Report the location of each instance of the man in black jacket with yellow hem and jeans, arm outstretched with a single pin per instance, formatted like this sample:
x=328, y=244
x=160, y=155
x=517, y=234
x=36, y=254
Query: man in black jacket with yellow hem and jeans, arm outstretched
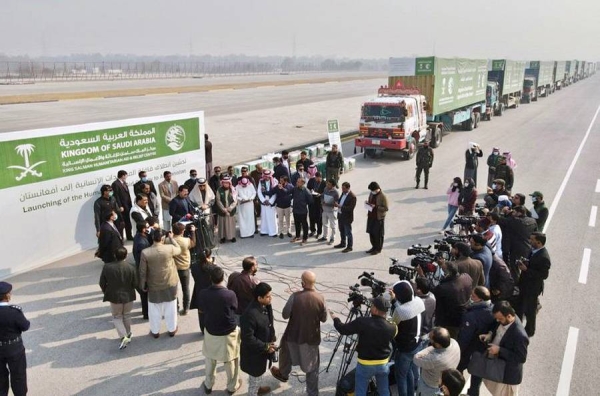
x=375, y=334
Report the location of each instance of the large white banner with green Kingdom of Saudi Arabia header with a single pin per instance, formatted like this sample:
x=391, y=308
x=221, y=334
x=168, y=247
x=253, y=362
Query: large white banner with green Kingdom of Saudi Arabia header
x=50, y=179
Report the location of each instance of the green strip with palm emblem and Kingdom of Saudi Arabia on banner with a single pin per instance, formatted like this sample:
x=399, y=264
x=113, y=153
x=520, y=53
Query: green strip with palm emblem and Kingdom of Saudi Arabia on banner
x=32, y=160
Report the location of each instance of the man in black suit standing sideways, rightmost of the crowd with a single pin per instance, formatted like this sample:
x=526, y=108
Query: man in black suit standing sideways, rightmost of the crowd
x=531, y=283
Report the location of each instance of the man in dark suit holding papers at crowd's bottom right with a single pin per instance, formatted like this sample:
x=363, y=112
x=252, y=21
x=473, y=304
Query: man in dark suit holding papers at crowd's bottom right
x=509, y=342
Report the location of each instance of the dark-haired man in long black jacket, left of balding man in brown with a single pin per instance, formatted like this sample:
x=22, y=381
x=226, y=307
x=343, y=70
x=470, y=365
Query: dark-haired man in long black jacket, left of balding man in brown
x=258, y=338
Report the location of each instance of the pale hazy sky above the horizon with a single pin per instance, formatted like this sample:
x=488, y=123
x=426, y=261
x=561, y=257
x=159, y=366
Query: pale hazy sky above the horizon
x=516, y=29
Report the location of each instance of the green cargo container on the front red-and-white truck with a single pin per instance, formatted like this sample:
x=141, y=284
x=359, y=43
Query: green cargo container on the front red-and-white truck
x=447, y=83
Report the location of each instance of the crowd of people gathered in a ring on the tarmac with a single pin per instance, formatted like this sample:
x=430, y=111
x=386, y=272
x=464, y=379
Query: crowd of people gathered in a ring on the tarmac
x=426, y=333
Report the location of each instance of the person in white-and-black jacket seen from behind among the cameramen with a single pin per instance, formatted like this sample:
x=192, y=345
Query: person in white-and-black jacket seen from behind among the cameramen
x=406, y=314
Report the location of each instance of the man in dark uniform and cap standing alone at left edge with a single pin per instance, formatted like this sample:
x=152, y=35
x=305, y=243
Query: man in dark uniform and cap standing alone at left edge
x=12, y=351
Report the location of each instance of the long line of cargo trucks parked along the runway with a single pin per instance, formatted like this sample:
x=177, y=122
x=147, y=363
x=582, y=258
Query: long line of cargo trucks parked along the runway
x=426, y=97
